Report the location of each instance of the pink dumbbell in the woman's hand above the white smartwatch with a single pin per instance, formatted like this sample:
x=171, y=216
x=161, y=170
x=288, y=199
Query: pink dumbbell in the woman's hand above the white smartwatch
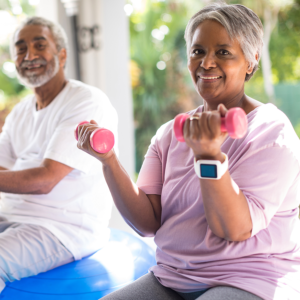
x=235, y=123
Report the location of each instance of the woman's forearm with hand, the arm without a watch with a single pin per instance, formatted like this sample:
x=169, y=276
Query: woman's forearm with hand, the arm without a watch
x=141, y=212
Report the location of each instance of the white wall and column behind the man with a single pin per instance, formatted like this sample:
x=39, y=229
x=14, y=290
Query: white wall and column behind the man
x=106, y=68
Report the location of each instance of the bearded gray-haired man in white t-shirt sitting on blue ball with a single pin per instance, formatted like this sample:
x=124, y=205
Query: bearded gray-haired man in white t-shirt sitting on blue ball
x=55, y=204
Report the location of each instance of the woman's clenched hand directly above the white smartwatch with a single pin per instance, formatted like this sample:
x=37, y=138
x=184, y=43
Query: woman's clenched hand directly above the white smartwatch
x=202, y=133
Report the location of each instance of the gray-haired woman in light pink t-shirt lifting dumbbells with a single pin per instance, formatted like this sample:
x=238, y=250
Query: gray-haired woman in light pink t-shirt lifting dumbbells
x=236, y=237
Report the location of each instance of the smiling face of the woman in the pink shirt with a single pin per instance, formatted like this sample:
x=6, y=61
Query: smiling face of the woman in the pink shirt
x=217, y=64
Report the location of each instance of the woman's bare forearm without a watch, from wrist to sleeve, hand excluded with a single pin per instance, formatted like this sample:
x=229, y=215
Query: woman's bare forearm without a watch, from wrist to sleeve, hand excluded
x=141, y=212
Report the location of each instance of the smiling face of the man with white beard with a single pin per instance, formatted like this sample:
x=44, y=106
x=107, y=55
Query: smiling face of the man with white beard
x=35, y=55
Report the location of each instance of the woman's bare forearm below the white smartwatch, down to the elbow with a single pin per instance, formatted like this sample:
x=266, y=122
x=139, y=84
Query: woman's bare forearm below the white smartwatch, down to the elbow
x=226, y=208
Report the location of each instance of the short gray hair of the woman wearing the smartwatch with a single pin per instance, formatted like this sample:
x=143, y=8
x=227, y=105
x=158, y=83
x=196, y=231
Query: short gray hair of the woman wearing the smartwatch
x=240, y=22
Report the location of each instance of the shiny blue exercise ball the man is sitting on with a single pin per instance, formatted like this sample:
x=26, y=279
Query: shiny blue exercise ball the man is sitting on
x=124, y=259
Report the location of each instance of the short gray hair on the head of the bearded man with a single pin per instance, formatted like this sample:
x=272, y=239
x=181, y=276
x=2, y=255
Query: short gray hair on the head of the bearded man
x=59, y=35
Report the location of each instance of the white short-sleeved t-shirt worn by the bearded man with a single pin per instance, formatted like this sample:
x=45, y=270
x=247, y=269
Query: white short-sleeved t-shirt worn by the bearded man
x=78, y=208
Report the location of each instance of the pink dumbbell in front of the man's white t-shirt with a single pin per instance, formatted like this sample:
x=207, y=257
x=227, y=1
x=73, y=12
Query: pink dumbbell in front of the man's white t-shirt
x=101, y=140
